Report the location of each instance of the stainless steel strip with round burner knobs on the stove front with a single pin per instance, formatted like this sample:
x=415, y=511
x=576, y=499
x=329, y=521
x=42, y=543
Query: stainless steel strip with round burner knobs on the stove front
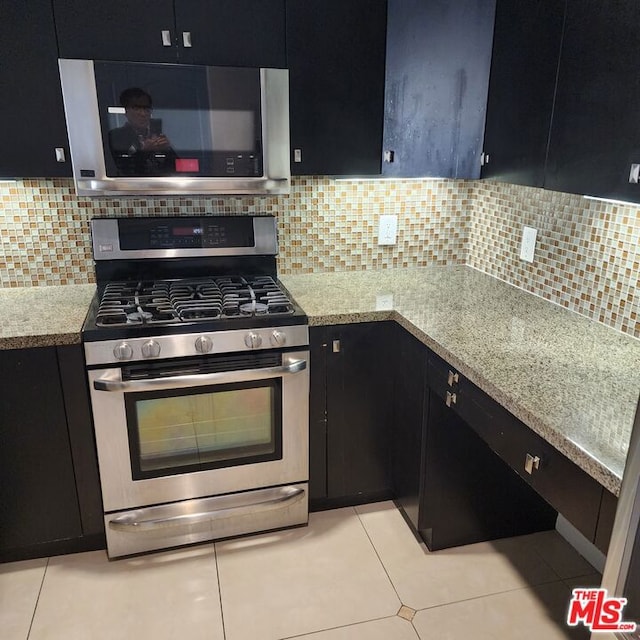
x=193, y=344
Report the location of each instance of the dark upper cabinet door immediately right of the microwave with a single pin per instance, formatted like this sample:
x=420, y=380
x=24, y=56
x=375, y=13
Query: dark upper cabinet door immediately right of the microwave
x=335, y=54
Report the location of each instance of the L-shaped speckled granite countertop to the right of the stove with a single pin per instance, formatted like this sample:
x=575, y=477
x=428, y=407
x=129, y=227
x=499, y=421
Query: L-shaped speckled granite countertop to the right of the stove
x=571, y=380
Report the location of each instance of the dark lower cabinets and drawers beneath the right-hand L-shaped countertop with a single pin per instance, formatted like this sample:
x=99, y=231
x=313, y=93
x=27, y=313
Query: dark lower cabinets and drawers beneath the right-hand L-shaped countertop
x=389, y=418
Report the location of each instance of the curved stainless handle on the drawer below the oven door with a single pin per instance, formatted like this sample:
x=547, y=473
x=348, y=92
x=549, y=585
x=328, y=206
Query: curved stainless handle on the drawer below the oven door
x=135, y=522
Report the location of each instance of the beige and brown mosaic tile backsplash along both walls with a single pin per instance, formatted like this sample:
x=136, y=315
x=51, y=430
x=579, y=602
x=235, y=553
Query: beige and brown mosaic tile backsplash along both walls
x=587, y=252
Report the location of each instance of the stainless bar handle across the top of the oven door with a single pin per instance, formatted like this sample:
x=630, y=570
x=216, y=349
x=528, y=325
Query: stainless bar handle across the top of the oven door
x=198, y=380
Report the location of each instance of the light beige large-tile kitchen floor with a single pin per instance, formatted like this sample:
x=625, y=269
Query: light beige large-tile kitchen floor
x=352, y=574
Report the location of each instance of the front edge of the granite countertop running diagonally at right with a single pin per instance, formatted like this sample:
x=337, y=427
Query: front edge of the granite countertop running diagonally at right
x=571, y=450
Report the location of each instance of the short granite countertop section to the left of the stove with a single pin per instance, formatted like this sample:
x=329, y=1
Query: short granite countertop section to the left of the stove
x=43, y=316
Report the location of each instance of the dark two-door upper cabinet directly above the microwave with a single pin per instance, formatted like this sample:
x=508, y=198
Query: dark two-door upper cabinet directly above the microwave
x=215, y=32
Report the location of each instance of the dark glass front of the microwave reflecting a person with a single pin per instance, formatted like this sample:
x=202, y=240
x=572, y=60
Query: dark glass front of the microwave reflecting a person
x=179, y=120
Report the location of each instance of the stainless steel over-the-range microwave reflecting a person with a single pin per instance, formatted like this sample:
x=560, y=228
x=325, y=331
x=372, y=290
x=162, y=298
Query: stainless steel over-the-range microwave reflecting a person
x=169, y=129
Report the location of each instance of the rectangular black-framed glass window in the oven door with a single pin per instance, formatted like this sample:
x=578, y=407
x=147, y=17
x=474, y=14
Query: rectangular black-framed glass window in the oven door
x=204, y=428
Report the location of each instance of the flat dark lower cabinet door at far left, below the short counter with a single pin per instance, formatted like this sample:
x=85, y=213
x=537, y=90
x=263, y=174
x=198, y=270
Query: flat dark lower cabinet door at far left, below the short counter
x=39, y=502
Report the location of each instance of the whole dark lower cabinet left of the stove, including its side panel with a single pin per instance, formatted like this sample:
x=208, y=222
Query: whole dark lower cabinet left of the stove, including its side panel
x=49, y=489
